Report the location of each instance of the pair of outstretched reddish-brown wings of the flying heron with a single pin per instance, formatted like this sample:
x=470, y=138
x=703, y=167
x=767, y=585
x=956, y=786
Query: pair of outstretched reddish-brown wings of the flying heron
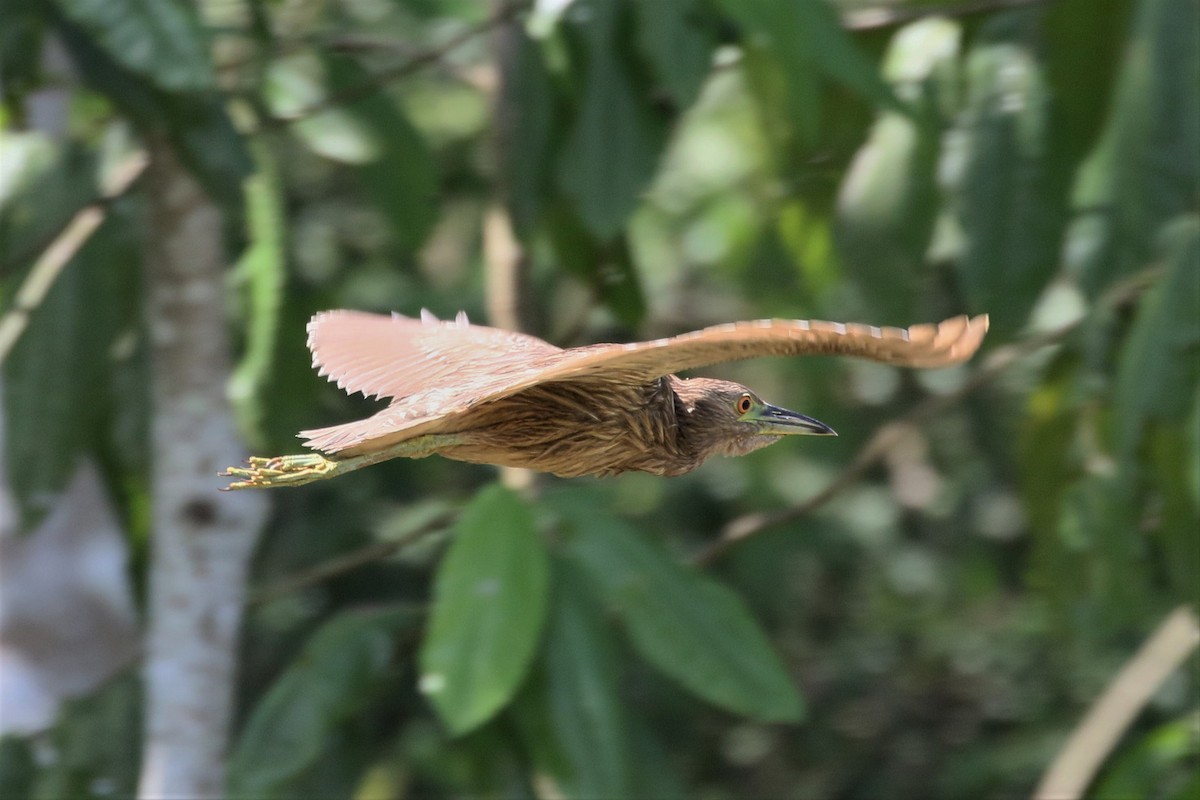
x=437, y=372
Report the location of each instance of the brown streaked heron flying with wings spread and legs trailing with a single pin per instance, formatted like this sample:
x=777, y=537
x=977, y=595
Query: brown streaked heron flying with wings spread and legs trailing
x=489, y=396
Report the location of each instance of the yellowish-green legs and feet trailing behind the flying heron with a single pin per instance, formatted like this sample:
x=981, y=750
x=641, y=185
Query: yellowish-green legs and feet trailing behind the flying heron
x=305, y=468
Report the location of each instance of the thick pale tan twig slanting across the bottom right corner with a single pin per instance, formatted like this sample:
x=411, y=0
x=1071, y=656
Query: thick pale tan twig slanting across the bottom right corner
x=1112, y=715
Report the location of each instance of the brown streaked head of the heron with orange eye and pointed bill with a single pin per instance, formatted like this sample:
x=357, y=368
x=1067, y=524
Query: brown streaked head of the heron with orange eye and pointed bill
x=727, y=419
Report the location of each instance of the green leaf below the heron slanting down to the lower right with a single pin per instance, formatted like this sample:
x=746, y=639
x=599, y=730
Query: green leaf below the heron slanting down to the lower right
x=688, y=625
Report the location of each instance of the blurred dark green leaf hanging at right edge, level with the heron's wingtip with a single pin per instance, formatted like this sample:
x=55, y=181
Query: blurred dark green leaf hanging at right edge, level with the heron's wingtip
x=1161, y=363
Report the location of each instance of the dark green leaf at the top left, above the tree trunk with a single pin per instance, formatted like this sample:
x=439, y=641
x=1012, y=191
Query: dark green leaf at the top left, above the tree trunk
x=160, y=40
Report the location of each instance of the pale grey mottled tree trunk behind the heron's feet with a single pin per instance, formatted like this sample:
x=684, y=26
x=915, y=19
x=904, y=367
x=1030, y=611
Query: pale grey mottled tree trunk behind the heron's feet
x=202, y=540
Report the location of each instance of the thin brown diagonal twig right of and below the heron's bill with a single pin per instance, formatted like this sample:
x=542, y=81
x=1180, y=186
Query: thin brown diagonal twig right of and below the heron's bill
x=893, y=432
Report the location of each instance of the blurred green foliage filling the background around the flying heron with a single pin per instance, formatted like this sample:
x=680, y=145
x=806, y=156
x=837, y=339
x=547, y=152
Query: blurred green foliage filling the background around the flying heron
x=934, y=631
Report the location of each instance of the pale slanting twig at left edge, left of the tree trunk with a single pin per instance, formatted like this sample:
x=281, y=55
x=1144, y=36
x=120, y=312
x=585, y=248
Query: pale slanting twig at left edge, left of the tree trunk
x=62, y=250
